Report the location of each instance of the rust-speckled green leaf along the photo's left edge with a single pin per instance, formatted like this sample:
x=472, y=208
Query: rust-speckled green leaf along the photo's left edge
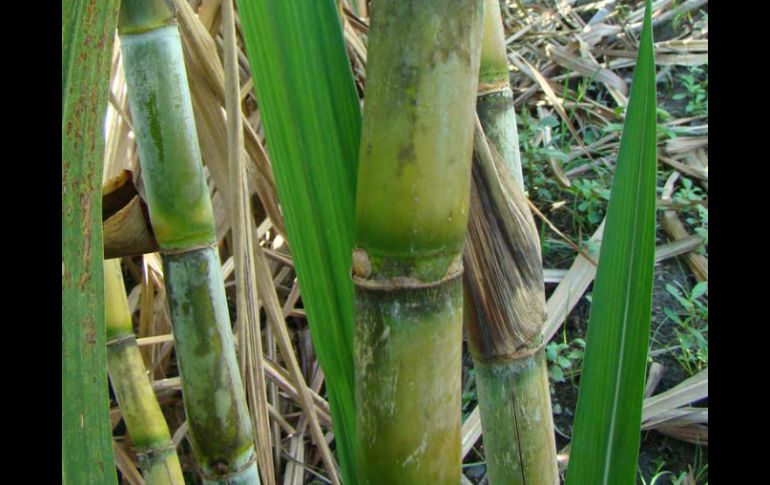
x=87, y=32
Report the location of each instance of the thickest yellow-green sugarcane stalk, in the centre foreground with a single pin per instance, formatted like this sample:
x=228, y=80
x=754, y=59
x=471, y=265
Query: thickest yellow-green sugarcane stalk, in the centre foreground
x=411, y=215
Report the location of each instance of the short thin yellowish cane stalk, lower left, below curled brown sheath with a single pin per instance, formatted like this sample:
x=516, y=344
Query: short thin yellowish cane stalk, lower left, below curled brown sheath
x=144, y=420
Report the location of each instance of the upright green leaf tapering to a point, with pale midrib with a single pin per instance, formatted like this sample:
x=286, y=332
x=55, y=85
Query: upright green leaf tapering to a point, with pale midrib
x=605, y=446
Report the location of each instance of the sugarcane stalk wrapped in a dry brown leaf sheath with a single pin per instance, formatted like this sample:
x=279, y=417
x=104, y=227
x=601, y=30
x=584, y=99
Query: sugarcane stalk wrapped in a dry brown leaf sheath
x=504, y=285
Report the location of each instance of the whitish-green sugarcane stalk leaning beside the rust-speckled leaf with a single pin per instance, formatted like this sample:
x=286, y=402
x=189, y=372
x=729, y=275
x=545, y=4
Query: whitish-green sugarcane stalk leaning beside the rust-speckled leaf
x=220, y=429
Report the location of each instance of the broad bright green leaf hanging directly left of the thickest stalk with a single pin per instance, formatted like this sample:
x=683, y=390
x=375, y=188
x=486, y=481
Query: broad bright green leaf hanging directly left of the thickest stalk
x=312, y=121
